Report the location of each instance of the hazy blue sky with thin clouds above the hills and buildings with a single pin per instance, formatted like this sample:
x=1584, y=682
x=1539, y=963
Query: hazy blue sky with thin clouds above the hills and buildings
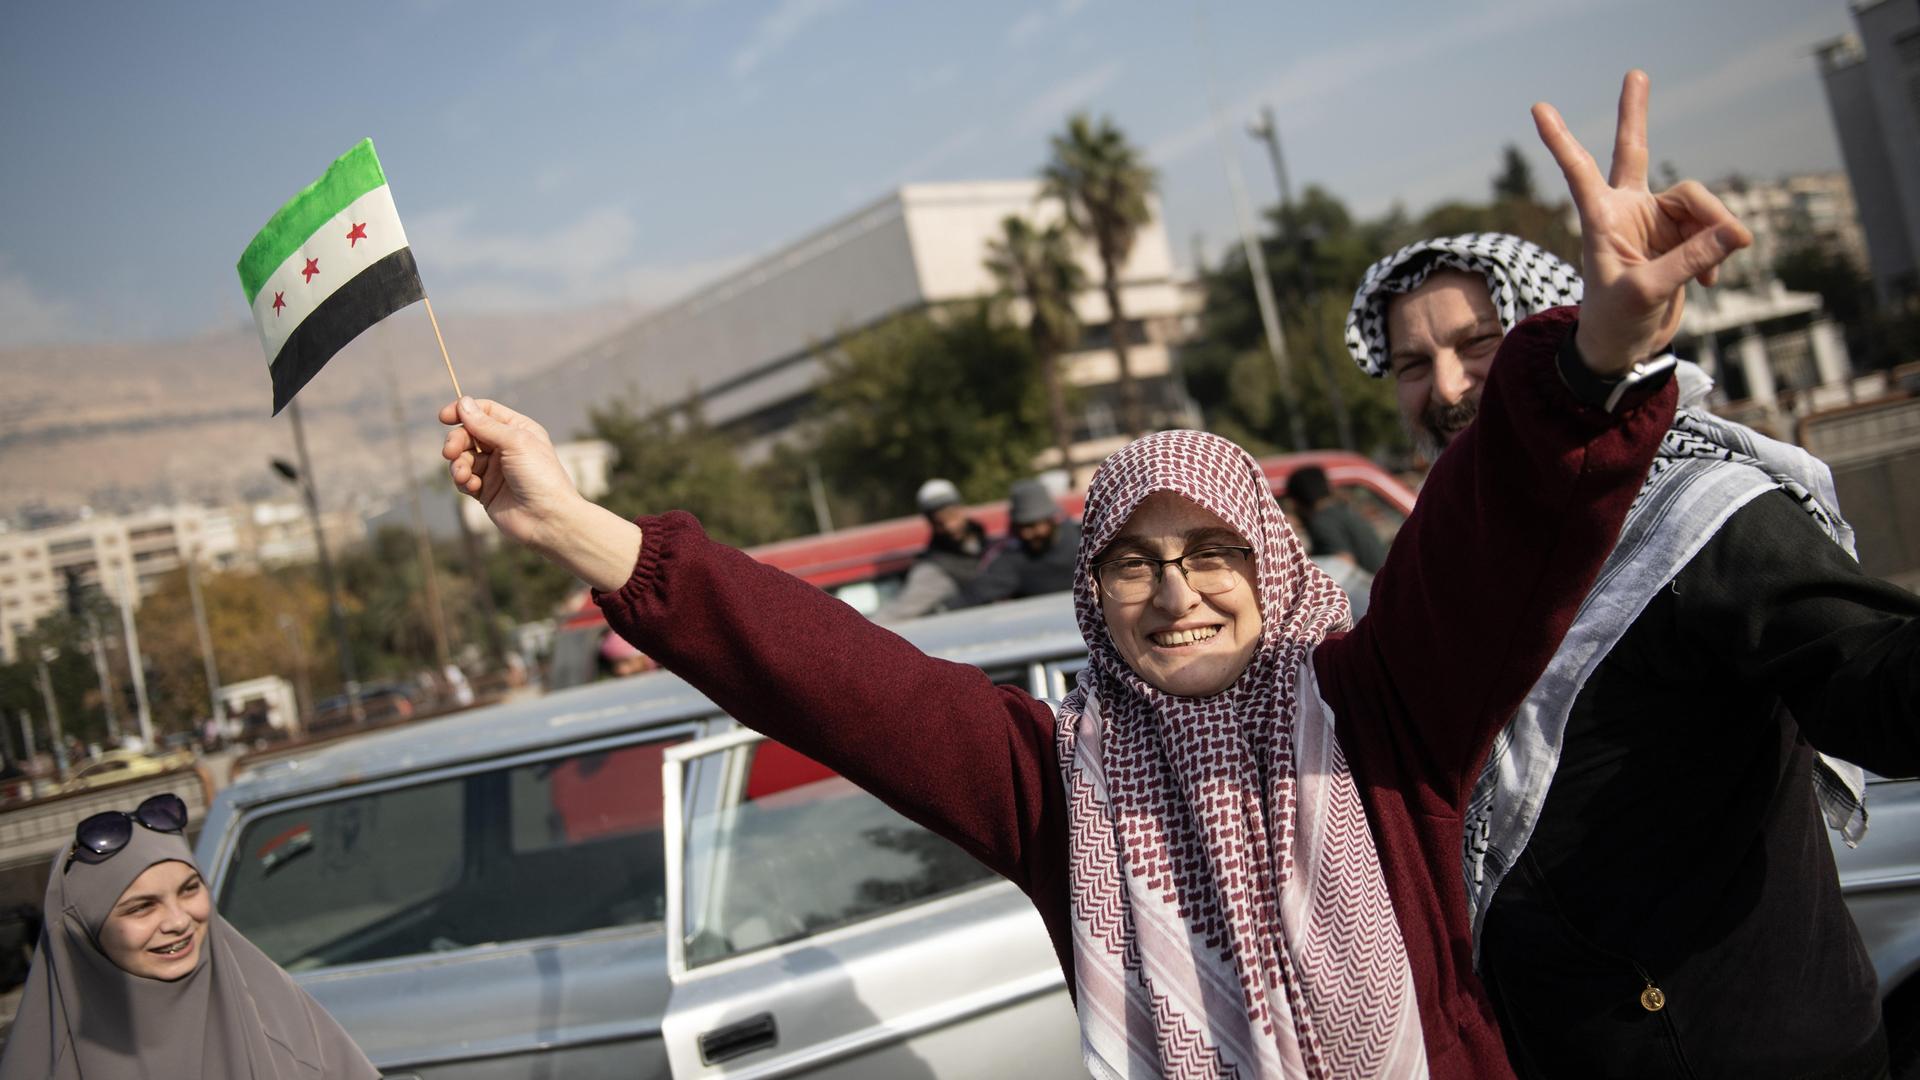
x=564, y=155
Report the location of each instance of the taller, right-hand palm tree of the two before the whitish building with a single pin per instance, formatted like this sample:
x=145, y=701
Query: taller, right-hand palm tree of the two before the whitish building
x=1105, y=185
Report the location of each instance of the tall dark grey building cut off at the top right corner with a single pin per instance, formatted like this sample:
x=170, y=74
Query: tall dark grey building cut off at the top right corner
x=1873, y=89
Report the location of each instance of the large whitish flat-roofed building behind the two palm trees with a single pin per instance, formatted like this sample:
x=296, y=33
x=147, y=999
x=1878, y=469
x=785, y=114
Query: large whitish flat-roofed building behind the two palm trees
x=748, y=347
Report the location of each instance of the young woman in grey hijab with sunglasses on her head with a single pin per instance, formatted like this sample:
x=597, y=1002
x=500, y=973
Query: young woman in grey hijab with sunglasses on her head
x=139, y=979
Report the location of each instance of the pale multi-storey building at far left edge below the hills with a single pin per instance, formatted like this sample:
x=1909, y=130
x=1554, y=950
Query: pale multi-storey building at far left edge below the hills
x=108, y=552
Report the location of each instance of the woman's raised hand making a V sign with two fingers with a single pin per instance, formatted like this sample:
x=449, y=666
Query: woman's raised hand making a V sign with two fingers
x=1639, y=247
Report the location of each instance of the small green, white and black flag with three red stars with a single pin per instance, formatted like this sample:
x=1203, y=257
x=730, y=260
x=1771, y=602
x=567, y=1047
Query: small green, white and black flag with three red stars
x=331, y=264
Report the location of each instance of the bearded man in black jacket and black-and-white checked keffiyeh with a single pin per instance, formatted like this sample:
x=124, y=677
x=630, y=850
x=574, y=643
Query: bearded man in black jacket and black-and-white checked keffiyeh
x=1646, y=866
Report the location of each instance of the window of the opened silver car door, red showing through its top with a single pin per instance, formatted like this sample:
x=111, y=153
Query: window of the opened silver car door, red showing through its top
x=804, y=852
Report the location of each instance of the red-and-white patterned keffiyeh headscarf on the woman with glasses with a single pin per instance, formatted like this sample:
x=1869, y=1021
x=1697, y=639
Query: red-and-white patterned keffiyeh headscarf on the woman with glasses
x=1230, y=914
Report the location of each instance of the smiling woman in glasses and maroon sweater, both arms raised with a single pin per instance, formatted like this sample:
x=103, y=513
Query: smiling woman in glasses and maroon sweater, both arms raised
x=1243, y=827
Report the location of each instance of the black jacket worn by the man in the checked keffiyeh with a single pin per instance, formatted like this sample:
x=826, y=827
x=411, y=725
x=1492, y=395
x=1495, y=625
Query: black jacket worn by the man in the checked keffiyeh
x=1681, y=845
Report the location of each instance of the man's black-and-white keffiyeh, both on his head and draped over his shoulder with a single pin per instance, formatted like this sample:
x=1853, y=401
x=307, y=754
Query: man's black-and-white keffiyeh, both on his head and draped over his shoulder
x=1706, y=470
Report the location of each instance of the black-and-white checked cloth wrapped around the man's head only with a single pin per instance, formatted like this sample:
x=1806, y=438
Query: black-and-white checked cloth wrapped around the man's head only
x=1522, y=278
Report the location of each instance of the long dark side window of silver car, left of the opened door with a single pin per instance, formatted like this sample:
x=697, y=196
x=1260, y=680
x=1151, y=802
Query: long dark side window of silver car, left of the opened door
x=556, y=847
